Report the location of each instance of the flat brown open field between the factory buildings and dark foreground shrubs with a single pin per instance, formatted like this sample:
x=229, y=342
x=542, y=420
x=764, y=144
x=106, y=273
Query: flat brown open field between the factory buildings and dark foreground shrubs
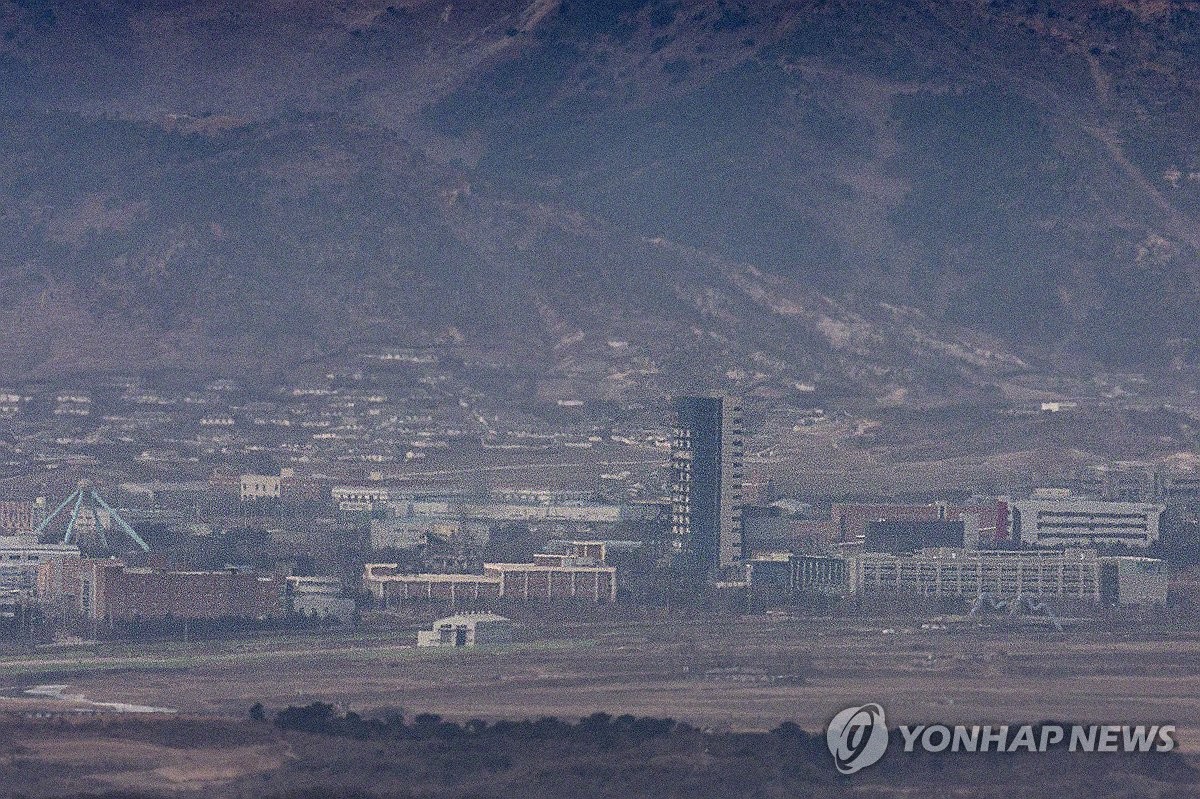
x=725, y=672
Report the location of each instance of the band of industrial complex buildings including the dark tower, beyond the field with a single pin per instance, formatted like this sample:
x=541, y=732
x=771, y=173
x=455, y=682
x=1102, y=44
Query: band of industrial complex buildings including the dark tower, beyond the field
x=1089, y=543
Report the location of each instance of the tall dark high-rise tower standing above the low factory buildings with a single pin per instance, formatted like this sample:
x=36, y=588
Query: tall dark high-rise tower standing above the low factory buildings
x=706, y=482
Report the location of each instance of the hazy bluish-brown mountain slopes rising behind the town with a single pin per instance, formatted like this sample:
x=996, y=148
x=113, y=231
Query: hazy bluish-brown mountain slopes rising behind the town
x=915, y=197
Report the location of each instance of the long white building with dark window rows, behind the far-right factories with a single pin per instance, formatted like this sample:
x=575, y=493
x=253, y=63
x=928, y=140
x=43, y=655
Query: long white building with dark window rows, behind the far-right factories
x=1077, y=522
